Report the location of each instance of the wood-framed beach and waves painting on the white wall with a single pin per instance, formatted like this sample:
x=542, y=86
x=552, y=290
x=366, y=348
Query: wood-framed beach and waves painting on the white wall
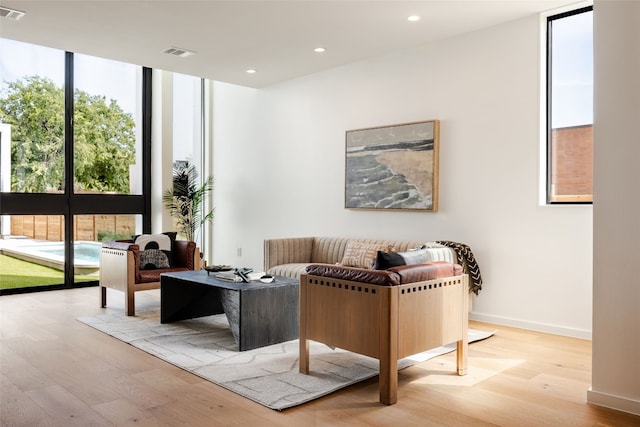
x=393, y=167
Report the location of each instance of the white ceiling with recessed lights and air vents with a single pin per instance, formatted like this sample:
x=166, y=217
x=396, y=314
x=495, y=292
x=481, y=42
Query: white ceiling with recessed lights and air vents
x=276, y=38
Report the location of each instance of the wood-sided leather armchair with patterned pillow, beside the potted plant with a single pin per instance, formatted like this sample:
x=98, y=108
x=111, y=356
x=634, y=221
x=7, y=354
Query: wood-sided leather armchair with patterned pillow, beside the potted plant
x=136, y=265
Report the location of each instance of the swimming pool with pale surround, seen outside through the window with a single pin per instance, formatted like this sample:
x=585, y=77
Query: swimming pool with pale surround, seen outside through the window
x=51, y=254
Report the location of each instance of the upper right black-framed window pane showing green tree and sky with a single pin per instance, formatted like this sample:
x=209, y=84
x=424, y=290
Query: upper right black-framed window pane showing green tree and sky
x=107, y=127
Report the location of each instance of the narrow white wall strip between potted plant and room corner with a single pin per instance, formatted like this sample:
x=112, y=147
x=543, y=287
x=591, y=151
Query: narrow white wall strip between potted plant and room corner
x=236, y=146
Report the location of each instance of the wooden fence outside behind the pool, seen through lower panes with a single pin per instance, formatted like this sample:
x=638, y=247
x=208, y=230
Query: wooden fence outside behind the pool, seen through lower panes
x=85, y=227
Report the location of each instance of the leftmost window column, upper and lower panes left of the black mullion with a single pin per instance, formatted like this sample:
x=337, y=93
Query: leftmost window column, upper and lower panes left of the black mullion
x=32, y=159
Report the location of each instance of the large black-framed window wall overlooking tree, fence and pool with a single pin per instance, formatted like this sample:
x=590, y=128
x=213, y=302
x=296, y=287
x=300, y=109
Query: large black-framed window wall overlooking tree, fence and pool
x=74, y=133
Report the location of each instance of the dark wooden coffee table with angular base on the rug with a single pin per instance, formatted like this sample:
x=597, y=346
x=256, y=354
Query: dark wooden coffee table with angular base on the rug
x=259, y=314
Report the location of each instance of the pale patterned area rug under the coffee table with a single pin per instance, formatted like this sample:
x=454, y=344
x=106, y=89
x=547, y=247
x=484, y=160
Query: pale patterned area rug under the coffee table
x=267, y=375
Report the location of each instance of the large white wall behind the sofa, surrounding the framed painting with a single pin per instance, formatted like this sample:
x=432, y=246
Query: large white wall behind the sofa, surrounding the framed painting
x=280, y=169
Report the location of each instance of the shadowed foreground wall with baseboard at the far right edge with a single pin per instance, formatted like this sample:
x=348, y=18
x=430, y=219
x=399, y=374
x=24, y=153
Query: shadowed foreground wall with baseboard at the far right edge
x=616, y=287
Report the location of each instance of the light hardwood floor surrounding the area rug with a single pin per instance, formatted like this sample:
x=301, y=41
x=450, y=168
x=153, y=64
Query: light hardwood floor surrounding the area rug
x=56, y=371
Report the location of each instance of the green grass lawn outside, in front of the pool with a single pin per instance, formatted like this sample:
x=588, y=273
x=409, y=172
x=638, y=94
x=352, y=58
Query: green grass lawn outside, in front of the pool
x=15, y=273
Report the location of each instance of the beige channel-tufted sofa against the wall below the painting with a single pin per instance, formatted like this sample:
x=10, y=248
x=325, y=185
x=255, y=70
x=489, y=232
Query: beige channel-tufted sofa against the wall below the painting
x=290, y=257
